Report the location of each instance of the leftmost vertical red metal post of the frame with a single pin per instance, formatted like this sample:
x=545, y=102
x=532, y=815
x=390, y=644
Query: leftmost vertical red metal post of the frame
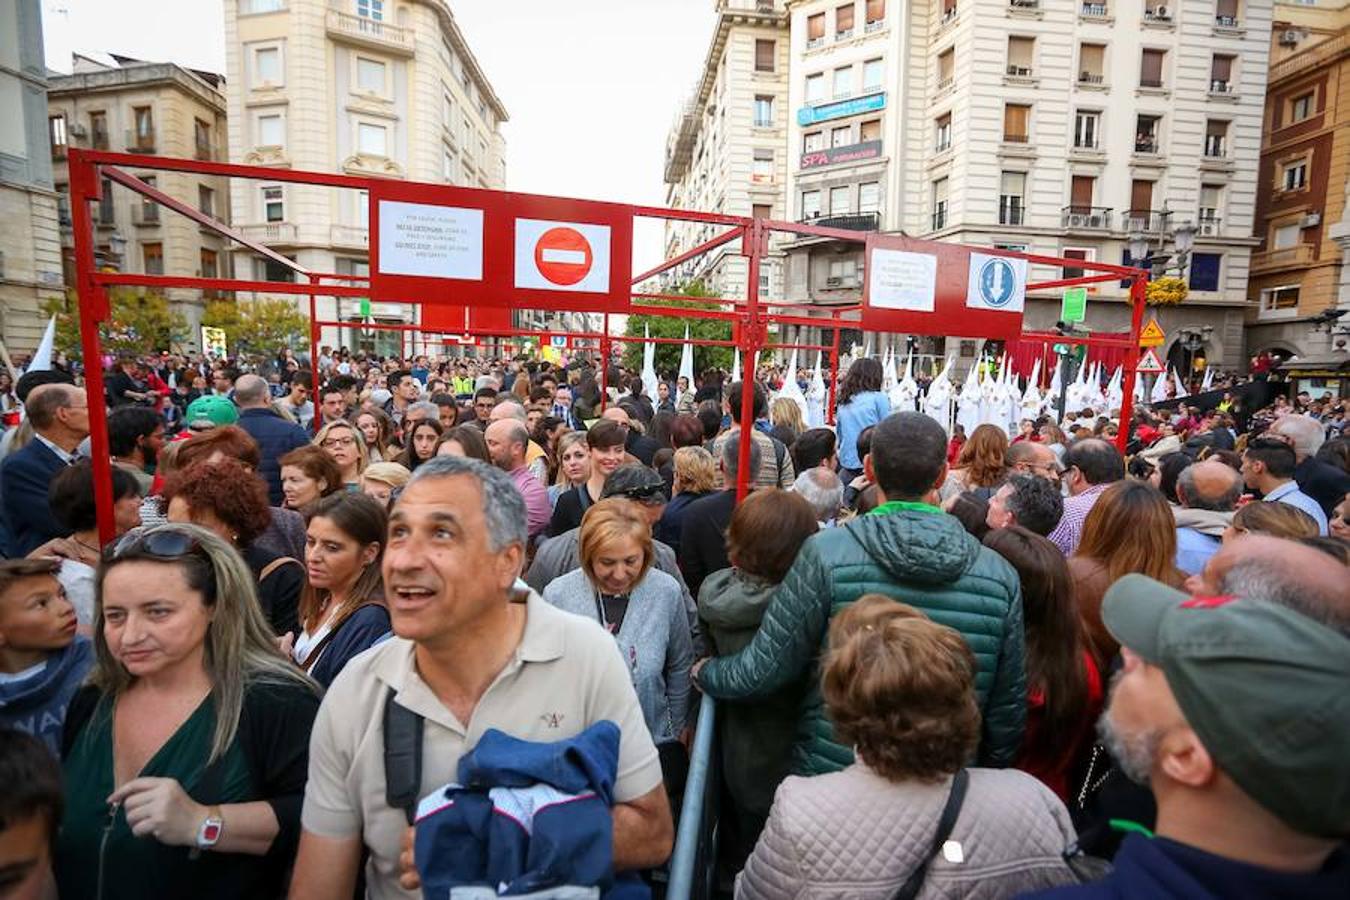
x=94, y=311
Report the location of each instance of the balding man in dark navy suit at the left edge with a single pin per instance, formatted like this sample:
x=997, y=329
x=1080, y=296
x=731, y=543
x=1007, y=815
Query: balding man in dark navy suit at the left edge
x=60, y=419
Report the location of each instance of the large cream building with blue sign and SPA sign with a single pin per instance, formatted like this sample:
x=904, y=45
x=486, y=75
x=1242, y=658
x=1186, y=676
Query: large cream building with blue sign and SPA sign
x=1040, y=126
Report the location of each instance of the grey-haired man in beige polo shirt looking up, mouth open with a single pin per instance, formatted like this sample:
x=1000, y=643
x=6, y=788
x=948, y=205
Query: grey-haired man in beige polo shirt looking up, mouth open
x=468, y=656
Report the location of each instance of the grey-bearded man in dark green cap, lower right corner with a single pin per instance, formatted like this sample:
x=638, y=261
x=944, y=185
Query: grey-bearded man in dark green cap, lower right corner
x=1236, y=712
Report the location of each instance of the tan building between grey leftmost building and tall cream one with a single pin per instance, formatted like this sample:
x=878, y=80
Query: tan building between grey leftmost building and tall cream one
x=145, y=109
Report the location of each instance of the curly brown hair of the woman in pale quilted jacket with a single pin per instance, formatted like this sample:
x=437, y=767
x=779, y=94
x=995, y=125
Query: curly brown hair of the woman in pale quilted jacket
x=901, y=689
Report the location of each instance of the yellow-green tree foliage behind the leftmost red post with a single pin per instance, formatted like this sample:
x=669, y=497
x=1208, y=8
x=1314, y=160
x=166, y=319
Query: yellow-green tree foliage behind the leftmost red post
x=140, y=323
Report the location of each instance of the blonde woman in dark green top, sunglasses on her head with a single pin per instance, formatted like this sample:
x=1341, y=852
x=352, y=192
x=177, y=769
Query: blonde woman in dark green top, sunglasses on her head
x=186, y=758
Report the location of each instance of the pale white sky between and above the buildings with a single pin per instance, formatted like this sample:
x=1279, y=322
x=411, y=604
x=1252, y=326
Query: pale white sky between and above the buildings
x=592, y=87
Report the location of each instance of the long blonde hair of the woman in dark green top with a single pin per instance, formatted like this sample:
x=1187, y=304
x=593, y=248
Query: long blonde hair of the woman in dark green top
x=240, y=646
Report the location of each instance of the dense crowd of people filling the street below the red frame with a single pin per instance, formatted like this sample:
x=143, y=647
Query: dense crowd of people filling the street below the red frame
x=368, y=627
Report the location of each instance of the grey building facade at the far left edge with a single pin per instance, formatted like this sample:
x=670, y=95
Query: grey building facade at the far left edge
x=30, y=241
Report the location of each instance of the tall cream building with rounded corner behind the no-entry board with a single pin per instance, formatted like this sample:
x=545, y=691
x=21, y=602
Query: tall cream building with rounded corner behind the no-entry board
x=379, y=88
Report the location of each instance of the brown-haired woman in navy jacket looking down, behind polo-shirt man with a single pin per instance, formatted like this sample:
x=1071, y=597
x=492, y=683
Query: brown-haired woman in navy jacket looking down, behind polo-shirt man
x=342, y=611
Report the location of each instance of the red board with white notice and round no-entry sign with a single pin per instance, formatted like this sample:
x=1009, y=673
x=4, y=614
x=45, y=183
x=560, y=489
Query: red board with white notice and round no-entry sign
x=470, y=248
